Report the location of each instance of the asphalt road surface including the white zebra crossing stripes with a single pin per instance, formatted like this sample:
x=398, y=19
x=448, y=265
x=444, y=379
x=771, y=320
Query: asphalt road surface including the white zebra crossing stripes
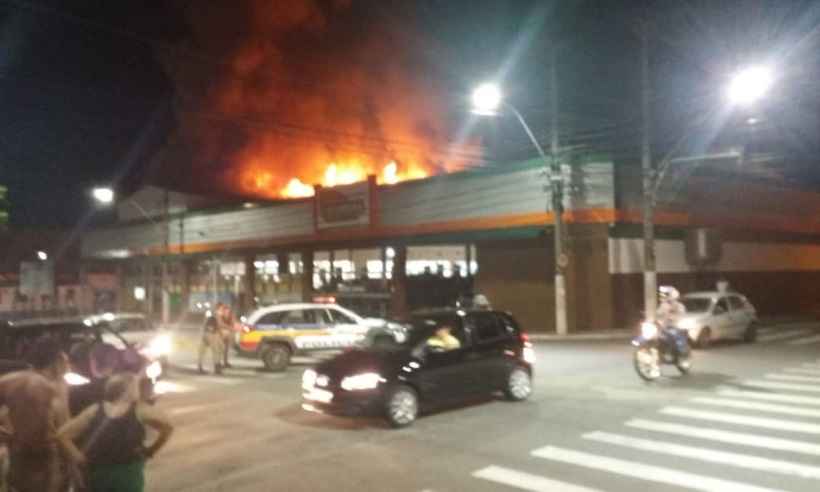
x=746, y=419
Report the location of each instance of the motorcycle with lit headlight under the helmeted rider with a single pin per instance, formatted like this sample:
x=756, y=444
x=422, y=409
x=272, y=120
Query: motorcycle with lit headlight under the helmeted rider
x=657, y=345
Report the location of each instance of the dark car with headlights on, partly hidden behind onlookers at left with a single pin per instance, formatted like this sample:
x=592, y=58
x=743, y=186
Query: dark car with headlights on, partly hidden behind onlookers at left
x=83, y=341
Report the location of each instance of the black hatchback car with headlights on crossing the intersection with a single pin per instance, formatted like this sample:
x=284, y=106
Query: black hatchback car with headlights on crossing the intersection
x=440, y=357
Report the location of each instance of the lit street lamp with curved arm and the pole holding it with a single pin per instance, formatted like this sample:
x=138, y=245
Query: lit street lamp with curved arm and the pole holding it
x=488, y=101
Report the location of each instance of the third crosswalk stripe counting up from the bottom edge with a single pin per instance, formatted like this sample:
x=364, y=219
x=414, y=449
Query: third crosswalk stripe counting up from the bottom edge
x=706, y=454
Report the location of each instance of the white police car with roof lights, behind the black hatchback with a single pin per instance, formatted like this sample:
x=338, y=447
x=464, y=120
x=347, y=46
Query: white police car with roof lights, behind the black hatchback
x=276, y=333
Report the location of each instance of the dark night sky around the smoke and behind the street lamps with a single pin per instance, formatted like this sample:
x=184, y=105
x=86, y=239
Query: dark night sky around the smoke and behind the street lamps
x=87, y=97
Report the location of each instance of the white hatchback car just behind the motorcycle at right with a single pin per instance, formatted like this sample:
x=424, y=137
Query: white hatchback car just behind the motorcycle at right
x=716, y=315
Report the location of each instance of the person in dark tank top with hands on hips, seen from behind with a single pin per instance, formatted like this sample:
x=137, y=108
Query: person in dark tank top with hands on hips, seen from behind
x=112, y=436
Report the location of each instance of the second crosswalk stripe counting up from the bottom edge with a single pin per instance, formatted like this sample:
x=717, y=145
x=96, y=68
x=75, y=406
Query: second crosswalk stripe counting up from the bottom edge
x=642, y=471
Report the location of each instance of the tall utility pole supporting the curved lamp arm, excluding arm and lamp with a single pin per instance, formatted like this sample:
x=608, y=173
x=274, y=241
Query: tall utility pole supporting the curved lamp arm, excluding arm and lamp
x=557, y=183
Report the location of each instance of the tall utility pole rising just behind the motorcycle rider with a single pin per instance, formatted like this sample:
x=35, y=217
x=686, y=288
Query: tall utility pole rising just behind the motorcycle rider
x=650, y=279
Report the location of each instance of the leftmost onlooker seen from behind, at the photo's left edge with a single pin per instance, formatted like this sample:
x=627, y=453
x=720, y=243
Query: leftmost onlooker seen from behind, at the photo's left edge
x=37, y=404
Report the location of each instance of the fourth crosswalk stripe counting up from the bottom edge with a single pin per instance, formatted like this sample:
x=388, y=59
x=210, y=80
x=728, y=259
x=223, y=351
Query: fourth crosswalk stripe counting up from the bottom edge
x=752, y=440
